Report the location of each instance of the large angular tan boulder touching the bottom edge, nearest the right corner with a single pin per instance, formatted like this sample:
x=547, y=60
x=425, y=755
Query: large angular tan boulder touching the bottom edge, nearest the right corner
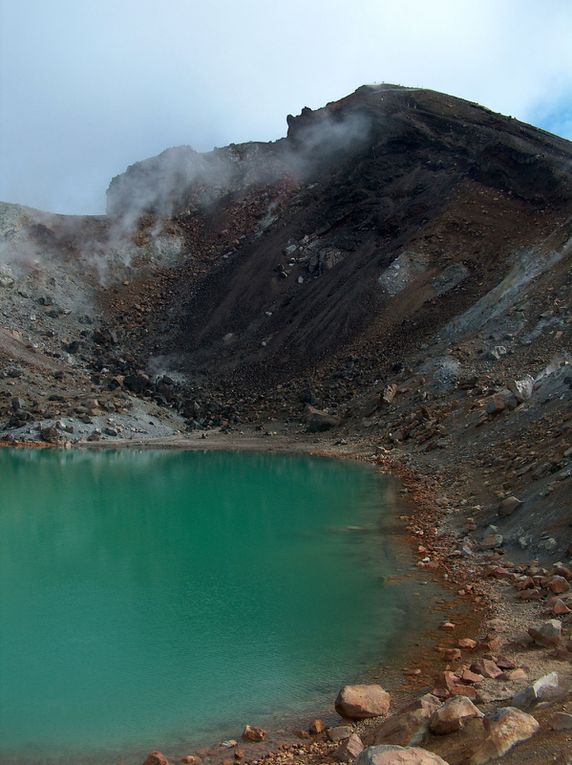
x=506, y=728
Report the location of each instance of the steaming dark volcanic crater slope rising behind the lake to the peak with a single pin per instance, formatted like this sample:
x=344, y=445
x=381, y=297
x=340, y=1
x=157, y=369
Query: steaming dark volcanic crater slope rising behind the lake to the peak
x=400, y=260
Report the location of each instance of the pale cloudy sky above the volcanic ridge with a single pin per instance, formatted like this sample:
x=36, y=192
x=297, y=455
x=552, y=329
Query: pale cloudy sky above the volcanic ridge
x=88, y=87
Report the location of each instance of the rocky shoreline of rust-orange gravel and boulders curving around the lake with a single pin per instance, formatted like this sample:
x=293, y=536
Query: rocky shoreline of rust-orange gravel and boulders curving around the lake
x=503, y=644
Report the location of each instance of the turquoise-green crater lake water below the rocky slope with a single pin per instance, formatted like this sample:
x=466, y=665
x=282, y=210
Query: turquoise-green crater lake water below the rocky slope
x=157, y=598
